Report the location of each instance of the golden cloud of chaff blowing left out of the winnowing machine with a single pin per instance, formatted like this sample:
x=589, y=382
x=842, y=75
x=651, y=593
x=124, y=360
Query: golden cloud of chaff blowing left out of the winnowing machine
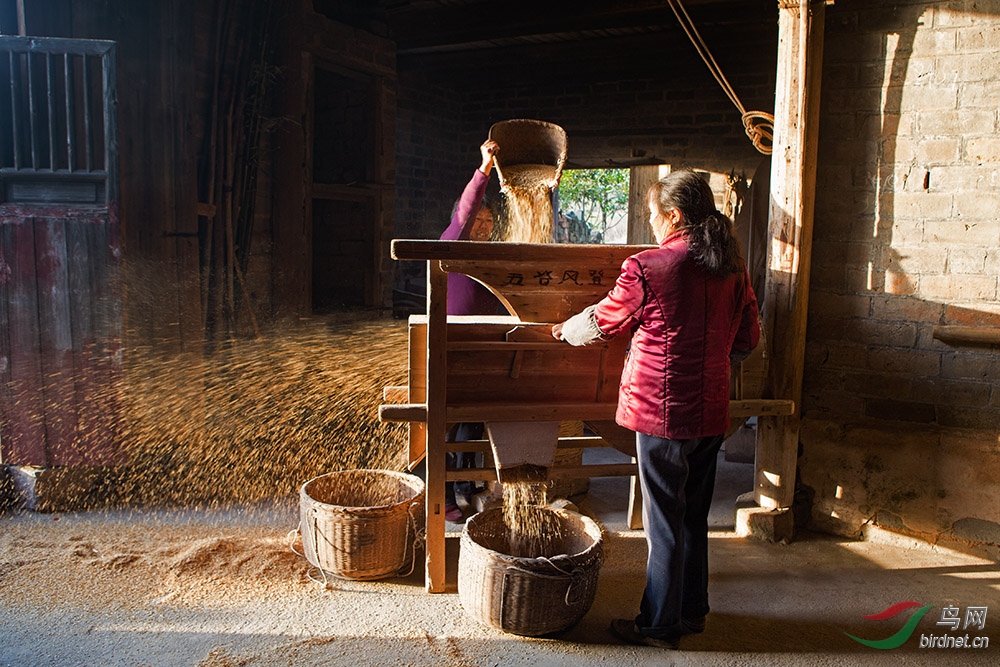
x=250, y=422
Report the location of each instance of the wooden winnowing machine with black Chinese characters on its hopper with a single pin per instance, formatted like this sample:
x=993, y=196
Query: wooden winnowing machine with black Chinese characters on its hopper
x=505, y=370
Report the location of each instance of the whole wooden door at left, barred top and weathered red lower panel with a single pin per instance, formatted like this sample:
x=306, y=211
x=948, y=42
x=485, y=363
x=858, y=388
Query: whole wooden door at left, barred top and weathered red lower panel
x=60, y=253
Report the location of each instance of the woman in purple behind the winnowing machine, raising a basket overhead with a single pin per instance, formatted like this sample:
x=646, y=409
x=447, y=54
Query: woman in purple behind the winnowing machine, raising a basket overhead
x=471, y=220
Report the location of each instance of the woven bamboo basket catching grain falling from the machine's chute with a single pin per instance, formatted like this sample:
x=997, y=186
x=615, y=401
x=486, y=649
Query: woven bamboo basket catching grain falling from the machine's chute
x=529, y=596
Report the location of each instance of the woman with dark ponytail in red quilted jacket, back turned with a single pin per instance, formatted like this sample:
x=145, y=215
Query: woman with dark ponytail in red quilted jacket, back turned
x=691, y=312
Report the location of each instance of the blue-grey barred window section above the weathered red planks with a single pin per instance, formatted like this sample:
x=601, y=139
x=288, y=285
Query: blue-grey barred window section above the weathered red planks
x=58, y=133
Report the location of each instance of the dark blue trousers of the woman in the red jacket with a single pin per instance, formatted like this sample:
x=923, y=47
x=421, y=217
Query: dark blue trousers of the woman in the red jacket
x=677, y=479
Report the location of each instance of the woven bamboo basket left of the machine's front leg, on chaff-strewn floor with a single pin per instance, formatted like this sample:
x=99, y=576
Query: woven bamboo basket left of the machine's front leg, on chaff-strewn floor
x=361, y=524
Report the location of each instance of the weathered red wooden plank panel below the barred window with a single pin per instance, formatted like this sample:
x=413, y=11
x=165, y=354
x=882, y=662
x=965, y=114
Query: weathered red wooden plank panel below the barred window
x=60, y=336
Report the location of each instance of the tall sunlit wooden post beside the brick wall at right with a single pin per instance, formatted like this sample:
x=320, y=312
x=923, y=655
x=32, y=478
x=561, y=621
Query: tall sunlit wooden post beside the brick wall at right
x=793, y=182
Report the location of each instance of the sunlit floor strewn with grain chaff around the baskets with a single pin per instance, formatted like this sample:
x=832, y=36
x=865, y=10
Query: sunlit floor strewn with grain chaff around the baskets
x=221, y=588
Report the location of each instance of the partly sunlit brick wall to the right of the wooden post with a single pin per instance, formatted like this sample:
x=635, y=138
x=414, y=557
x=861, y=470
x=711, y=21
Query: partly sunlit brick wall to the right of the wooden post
x=906, y=237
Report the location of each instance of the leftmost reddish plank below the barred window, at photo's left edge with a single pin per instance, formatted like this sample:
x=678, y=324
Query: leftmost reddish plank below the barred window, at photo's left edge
x=24, y=442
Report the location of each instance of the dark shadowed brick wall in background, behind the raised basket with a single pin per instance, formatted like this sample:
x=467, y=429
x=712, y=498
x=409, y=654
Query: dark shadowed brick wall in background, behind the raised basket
x=621, y=103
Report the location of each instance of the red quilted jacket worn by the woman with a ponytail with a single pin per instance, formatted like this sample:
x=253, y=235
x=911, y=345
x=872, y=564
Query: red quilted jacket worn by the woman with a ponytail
x=687, y=322
